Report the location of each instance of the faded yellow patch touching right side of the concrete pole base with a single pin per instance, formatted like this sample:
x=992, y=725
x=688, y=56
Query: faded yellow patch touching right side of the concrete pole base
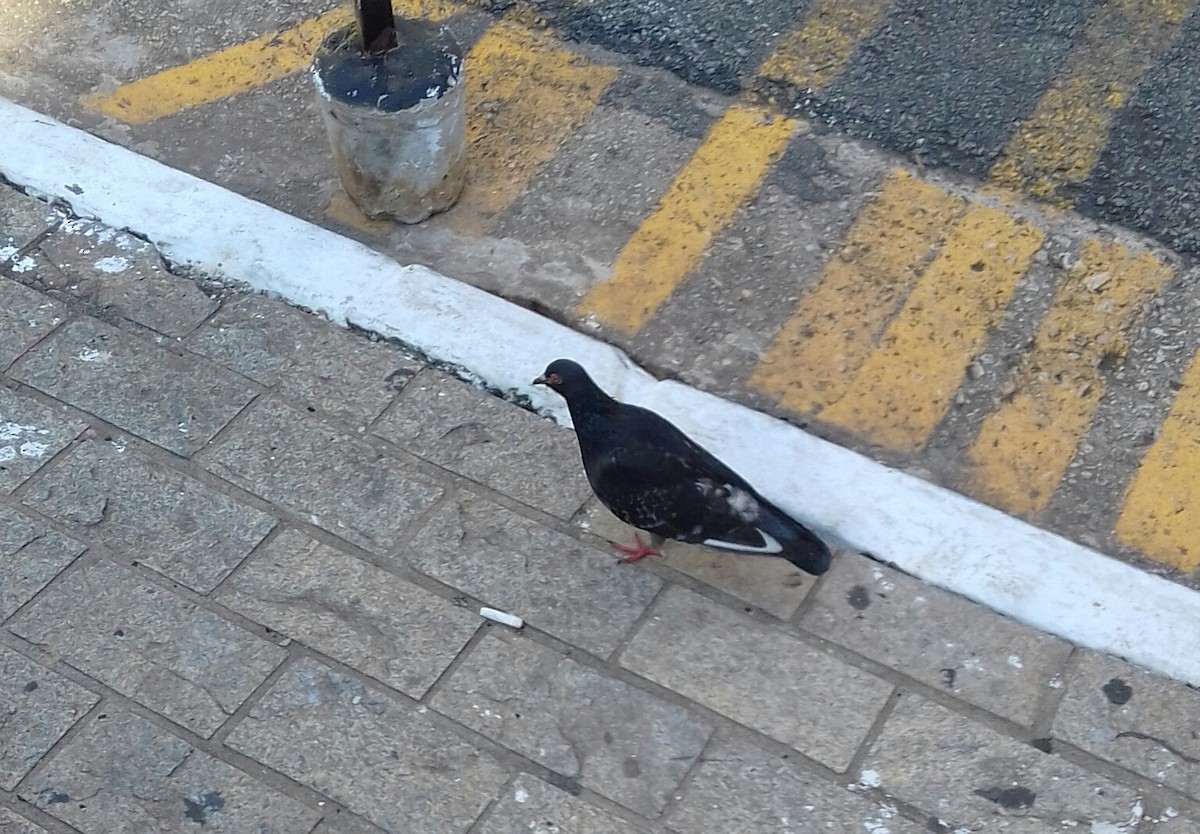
x=525, y=98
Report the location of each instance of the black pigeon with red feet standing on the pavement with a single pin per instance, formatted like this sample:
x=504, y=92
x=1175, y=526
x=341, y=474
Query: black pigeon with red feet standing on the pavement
x=653, y=477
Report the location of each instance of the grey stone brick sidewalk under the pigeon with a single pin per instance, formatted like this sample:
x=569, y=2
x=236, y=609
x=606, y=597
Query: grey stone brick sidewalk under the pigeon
x=242, y=559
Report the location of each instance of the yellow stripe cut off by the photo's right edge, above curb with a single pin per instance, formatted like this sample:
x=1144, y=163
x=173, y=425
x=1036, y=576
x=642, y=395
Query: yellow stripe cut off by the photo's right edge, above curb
x=1161, y=517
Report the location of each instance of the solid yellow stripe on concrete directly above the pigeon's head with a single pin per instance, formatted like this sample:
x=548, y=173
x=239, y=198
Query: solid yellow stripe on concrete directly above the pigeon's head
x=727, y=169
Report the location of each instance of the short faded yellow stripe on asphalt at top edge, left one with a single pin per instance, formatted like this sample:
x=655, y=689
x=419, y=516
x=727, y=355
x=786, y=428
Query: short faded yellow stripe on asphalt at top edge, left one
x=820, y=50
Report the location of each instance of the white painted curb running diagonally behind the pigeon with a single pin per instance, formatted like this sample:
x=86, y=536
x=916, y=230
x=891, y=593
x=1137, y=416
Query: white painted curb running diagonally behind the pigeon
x=941, y=537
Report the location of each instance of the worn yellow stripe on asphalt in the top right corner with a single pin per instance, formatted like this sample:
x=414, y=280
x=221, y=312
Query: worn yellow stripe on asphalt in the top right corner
x=1060, y=143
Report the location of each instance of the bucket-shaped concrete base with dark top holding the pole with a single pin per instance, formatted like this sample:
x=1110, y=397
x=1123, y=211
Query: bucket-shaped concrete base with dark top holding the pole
x=397, y=122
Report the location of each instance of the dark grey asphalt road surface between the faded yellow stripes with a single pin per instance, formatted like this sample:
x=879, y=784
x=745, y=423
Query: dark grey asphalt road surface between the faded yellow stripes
x=946, y=82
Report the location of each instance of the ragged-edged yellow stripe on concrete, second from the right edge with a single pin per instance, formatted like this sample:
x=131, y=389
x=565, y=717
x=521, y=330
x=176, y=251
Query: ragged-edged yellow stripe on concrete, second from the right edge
x=1025, y=446
